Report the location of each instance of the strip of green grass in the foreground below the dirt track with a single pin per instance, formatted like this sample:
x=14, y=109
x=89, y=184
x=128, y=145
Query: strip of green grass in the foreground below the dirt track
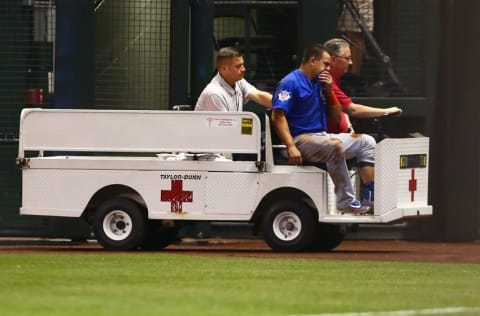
x=167, y=284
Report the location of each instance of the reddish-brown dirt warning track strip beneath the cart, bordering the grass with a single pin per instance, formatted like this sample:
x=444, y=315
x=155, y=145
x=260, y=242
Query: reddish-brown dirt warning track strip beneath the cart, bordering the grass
x=378, y=250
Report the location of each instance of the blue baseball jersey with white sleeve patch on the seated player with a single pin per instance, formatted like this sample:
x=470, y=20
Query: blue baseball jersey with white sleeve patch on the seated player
x=302, y=102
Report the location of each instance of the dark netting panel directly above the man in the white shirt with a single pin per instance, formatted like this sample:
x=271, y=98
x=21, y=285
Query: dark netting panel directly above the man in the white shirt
x=265, y=34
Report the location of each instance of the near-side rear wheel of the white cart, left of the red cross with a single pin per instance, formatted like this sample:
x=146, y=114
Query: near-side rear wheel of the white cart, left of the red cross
x=119, y=224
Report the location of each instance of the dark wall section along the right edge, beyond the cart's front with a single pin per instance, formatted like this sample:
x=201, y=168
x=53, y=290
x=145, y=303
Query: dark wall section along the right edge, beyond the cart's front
x=455, y=154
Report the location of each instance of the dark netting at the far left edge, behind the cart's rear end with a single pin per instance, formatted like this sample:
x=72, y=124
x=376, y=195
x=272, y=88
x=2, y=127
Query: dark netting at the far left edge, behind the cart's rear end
x=27, y=34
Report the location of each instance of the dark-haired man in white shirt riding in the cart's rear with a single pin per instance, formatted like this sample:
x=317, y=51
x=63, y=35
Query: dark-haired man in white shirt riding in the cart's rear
x=228, y=90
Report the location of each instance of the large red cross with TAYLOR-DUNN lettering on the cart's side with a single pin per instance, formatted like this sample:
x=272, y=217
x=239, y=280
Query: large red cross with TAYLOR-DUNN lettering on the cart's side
x=182, y=192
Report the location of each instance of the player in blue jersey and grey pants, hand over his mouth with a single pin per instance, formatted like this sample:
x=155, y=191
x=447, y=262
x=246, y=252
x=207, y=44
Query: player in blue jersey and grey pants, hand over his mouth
x=300, y=106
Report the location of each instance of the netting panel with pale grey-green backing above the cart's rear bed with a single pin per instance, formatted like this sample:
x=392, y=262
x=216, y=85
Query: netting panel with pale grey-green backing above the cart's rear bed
x=132, y=54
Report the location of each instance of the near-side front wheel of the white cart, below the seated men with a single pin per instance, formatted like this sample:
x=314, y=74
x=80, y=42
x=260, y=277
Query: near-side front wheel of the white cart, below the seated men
x=289, y=226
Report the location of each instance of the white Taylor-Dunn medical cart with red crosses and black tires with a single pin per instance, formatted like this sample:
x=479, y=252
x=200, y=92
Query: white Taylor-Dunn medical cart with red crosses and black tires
x=136, y=175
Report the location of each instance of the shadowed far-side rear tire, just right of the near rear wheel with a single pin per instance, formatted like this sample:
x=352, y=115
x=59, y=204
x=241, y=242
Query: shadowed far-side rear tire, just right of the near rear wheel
x=159, y=236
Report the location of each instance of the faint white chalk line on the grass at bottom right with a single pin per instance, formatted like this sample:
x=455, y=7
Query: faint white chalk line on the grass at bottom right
x=413, y=312
